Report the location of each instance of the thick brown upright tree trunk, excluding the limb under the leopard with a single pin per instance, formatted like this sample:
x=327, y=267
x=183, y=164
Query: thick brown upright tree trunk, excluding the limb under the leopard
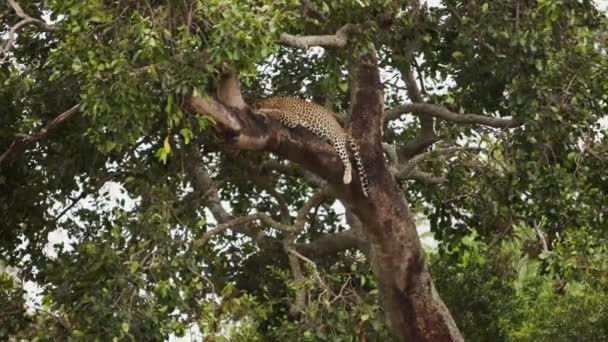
x=413, y=309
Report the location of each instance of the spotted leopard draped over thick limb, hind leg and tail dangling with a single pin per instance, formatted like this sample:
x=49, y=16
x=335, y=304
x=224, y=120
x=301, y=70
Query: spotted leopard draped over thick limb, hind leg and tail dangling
x=292, y=112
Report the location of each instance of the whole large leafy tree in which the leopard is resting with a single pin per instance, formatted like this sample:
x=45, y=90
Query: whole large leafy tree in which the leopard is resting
x=156, y=98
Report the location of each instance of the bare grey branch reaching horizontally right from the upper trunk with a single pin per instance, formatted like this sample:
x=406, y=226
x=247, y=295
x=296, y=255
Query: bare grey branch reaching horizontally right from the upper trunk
x=445, y=114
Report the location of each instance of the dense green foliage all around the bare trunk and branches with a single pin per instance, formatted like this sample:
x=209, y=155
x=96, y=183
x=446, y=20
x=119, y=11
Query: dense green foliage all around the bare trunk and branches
x=522, y=220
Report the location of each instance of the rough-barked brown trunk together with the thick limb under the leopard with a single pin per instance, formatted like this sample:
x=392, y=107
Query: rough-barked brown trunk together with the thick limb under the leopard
x=414, y=311
